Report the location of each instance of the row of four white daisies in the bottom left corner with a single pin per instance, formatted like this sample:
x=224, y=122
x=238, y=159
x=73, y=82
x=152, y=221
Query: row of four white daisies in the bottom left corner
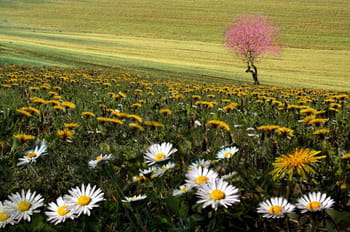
x=22, y=205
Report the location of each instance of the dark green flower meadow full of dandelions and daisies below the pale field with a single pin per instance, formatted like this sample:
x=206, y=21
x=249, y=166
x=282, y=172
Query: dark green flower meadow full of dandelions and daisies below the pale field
x=99, y=124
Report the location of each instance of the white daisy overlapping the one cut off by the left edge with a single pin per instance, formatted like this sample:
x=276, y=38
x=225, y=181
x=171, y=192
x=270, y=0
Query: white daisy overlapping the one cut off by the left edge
x=23, y=205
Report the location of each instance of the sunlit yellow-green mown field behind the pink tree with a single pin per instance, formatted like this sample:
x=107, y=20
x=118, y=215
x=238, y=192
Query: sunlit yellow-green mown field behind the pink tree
x=179, y=38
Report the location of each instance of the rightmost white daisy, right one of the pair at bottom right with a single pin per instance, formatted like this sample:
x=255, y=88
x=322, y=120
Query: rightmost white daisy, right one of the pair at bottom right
x=314, y=202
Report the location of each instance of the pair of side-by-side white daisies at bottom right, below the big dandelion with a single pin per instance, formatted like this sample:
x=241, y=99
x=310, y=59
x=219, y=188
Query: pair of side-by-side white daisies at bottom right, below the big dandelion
x=277, y=207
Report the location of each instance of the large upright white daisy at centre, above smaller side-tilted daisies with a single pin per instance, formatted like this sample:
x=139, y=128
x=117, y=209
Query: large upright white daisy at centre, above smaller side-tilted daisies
x=158, y=152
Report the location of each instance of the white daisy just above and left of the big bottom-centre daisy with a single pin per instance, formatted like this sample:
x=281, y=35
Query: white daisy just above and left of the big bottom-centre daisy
x=198, y=176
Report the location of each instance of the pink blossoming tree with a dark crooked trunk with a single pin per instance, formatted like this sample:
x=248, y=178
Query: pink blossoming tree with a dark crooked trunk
x=251, y=37
